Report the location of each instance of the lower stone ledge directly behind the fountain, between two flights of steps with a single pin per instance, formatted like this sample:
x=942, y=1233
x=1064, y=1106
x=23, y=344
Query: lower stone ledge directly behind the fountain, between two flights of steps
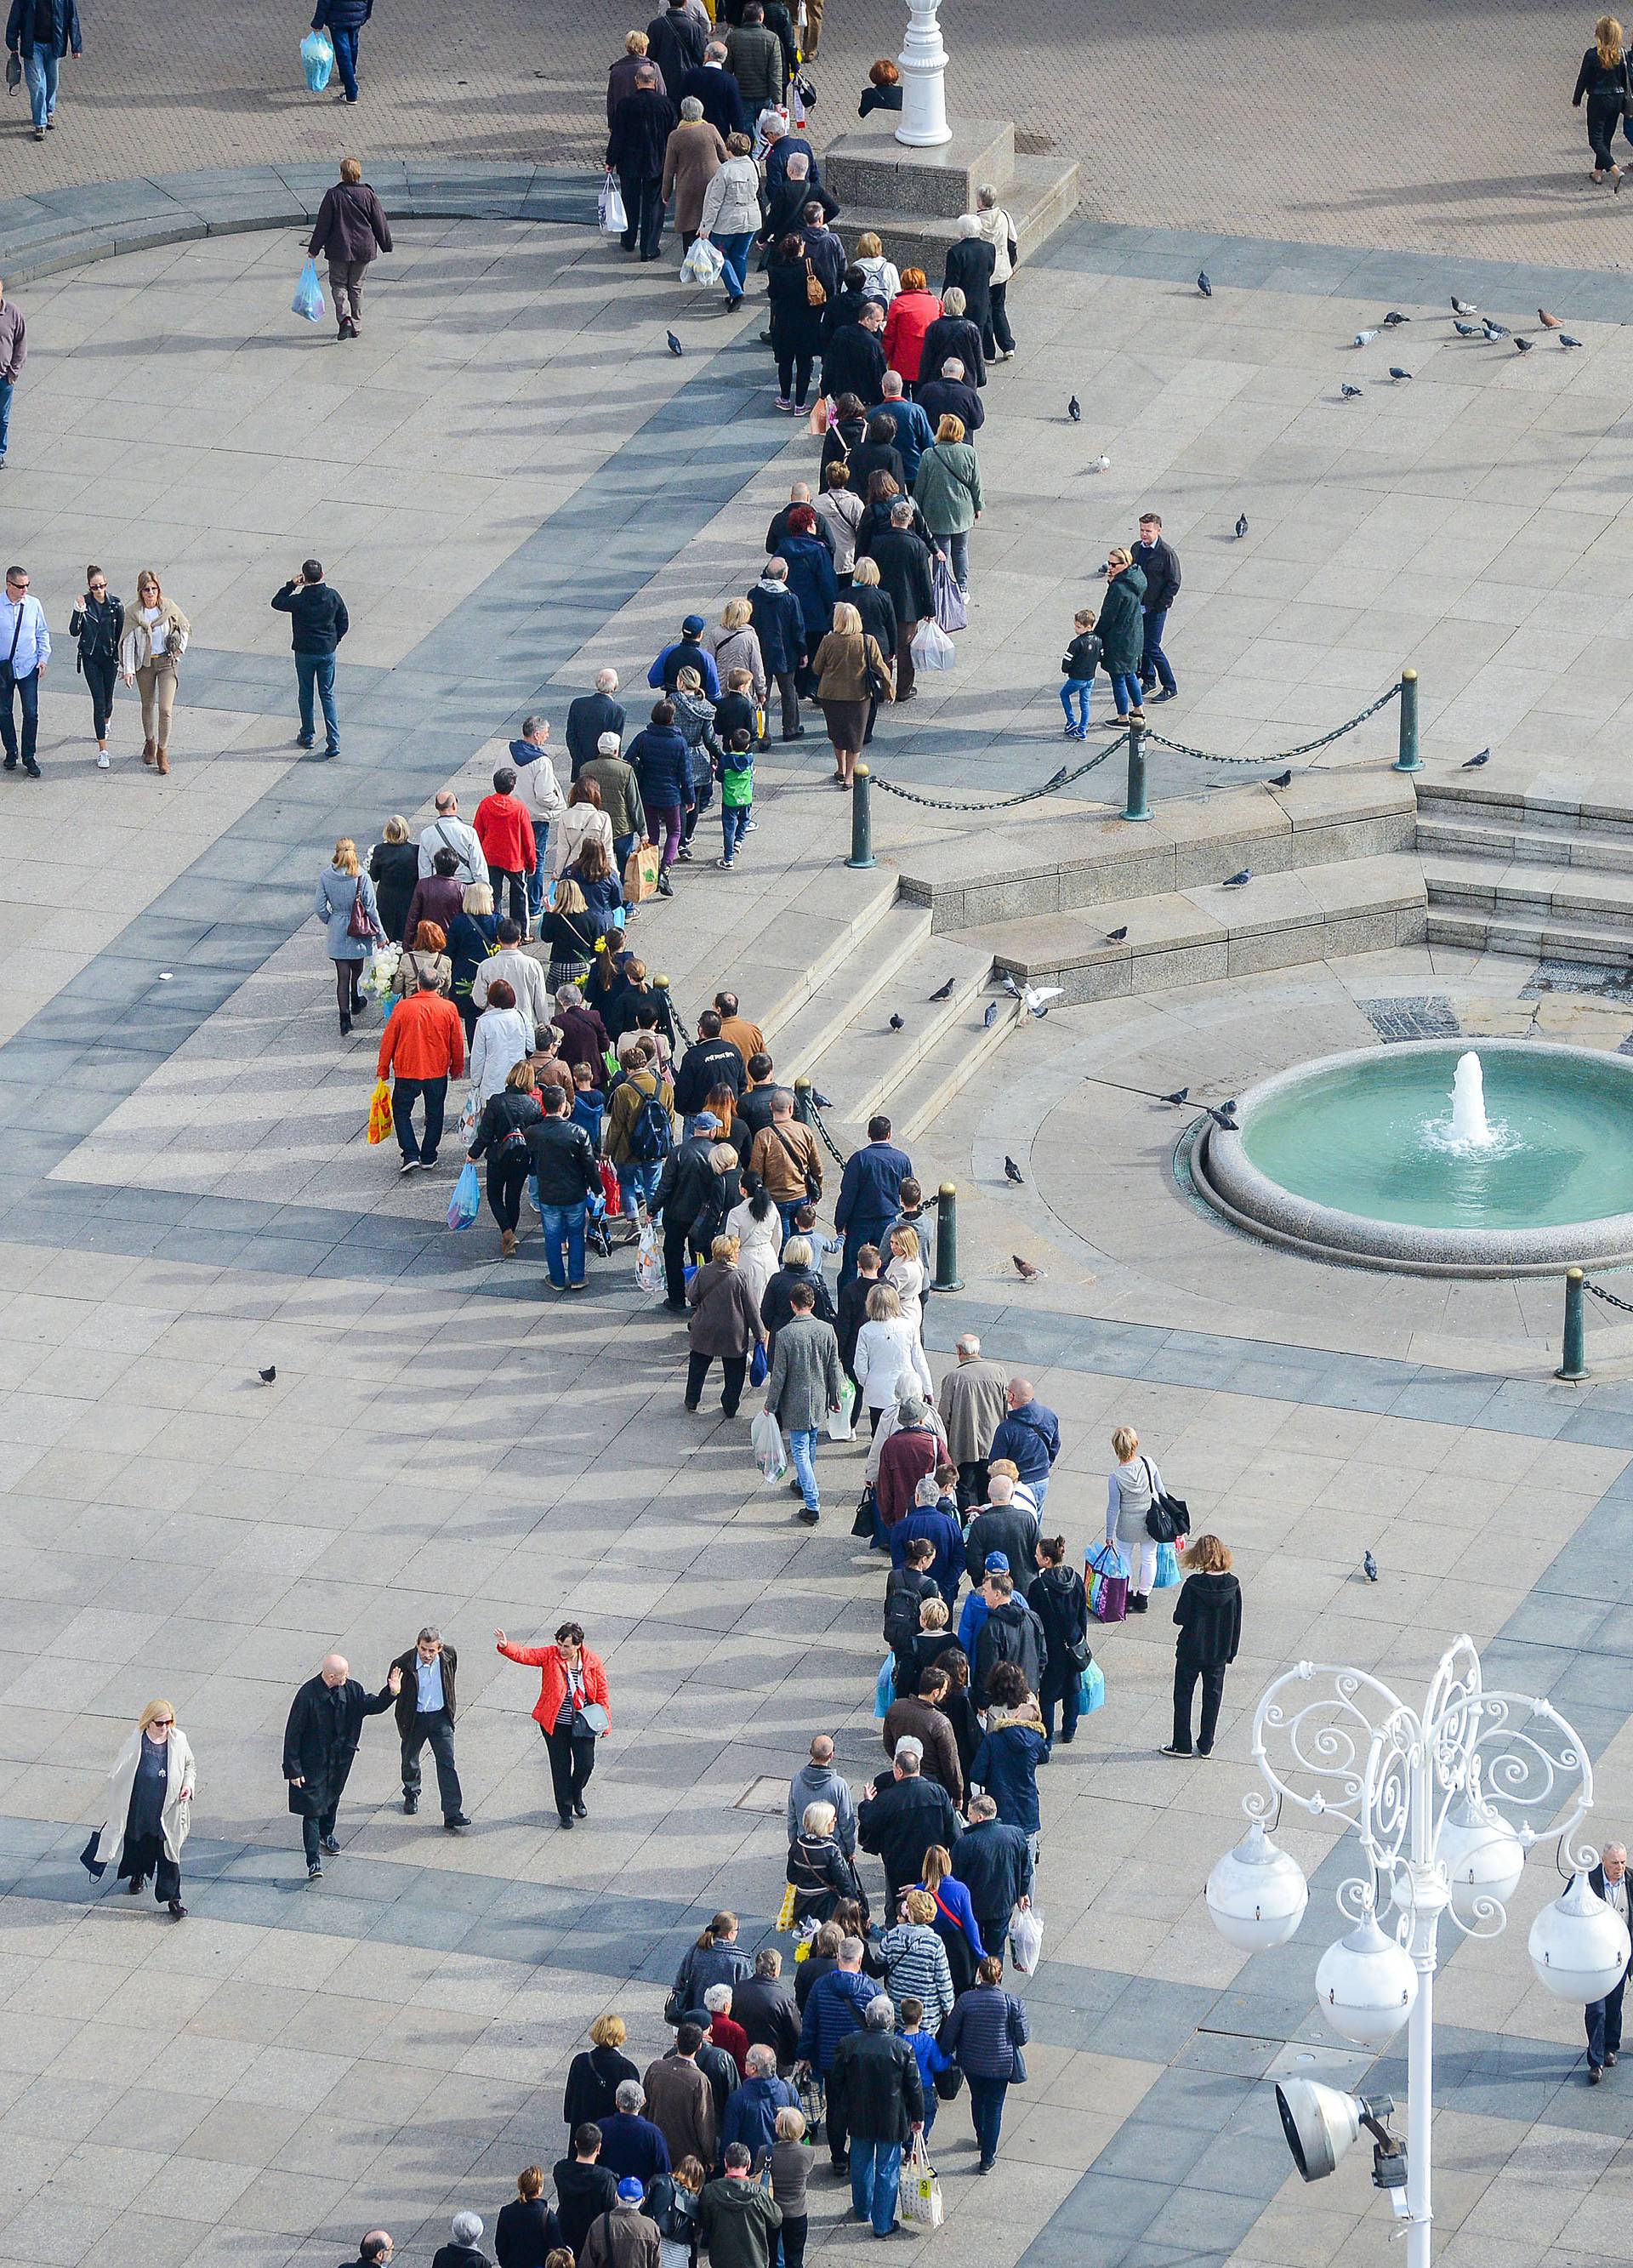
x=1194, y=936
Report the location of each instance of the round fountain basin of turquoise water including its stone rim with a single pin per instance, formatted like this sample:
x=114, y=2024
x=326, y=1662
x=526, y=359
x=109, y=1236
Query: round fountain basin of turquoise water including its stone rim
x=1355, y=1158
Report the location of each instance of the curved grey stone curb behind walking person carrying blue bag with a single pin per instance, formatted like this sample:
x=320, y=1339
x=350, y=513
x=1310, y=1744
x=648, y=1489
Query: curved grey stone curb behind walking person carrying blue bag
x=65, y=228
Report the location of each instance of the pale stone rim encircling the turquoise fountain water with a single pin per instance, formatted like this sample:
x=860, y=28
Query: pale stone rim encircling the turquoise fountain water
x=1264, y=1208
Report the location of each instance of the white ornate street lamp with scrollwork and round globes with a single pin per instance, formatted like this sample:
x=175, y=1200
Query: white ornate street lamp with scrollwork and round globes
x=1448, y=1804
